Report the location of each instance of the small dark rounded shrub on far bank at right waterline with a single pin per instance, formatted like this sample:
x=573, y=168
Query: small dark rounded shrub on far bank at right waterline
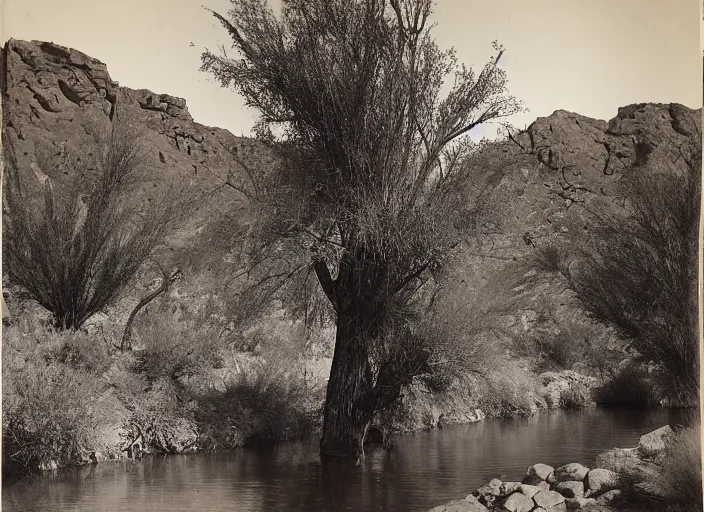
x=629, y=386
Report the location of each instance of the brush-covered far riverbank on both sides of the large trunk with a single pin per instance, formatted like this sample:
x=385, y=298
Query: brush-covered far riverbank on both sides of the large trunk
x=72, y=399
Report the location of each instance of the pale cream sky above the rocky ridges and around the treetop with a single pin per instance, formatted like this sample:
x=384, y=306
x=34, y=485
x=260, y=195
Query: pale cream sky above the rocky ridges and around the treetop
x=586, y=56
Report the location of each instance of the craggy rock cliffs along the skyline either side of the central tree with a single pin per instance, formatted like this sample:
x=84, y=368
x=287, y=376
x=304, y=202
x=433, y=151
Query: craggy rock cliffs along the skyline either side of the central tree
x=58, y=100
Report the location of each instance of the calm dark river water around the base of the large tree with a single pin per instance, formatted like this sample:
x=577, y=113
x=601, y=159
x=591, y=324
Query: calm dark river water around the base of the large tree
x=423, y=470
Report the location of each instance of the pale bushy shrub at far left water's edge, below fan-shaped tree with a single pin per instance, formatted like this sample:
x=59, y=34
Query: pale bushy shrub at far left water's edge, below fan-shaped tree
x=52, y=413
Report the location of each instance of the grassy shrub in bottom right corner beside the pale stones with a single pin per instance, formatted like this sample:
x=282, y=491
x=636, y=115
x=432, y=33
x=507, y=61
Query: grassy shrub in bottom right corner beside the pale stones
x=677, y=485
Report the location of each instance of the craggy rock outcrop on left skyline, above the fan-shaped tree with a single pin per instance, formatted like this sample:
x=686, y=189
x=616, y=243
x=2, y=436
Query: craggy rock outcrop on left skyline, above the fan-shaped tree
x=59, y=102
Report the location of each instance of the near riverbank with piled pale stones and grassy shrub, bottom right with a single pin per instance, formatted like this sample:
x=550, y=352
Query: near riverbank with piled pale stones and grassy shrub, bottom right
x=663, y=473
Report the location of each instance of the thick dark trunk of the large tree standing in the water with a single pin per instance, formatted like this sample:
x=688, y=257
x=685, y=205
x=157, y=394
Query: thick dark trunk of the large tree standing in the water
x=350, y=380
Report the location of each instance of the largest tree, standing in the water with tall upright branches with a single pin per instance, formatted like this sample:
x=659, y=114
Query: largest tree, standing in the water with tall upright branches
x=376, y=171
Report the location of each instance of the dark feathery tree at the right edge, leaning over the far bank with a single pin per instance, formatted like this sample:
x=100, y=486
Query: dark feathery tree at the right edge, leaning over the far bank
x=637, y=270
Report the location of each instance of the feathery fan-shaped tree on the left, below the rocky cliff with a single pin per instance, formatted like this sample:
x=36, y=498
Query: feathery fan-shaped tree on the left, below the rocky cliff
x=74, y=250
